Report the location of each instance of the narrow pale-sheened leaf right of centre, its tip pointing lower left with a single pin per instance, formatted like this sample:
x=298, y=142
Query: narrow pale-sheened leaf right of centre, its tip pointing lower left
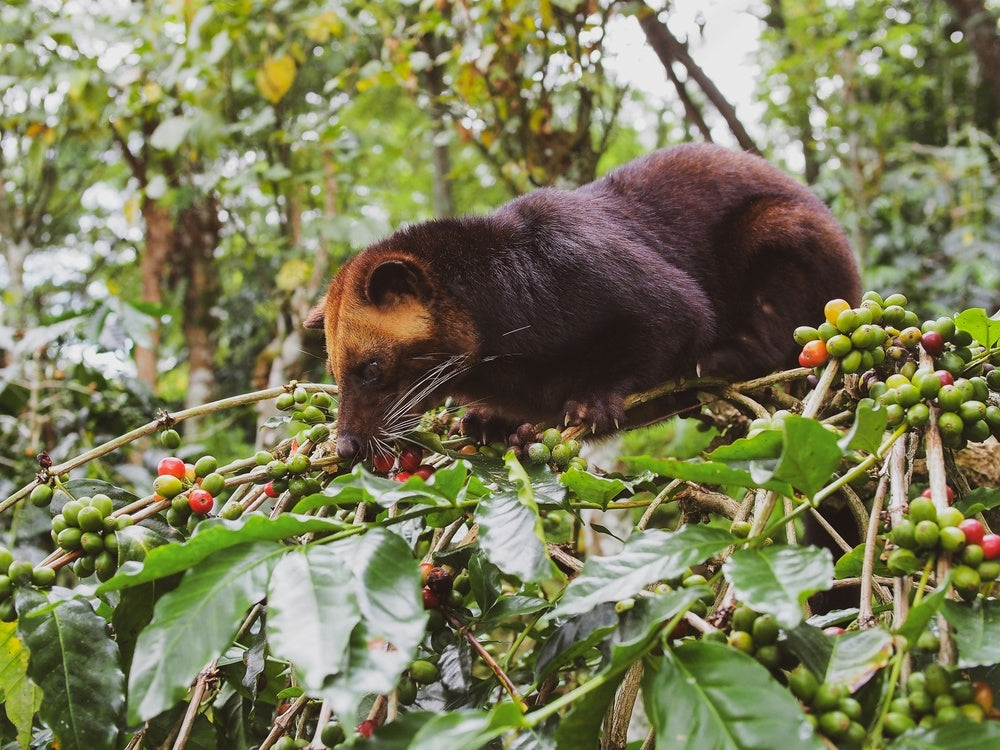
x=647, y=556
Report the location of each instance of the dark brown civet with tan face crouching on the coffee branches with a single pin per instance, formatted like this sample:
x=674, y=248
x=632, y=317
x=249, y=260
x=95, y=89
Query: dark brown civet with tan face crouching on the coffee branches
x=561, y=303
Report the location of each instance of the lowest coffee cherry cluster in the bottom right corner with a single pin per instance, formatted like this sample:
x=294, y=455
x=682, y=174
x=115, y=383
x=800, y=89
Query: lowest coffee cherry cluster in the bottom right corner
x=938, y=695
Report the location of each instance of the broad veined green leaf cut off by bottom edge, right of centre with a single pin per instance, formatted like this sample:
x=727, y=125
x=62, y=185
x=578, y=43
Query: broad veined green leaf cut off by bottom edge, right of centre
x=708, y=695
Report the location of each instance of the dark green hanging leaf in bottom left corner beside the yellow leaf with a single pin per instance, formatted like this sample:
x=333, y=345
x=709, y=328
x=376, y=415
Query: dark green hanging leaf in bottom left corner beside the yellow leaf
x=75, y=663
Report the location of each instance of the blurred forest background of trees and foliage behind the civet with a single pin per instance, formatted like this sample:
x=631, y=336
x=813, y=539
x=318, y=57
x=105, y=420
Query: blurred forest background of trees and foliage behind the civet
x=179, y=180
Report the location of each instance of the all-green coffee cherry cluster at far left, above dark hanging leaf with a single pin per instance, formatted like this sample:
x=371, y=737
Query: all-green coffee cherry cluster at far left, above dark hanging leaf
x=85, y=525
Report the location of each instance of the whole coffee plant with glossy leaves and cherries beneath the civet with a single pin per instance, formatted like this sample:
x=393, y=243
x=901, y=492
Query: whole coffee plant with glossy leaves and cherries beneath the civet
x=439, y=594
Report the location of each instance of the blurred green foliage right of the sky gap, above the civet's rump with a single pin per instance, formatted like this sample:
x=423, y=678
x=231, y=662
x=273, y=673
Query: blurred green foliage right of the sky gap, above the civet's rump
x=893, y=121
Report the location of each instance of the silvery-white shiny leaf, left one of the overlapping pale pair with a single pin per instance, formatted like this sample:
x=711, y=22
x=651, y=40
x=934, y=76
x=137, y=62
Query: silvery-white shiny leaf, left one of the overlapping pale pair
x=311, y=611
